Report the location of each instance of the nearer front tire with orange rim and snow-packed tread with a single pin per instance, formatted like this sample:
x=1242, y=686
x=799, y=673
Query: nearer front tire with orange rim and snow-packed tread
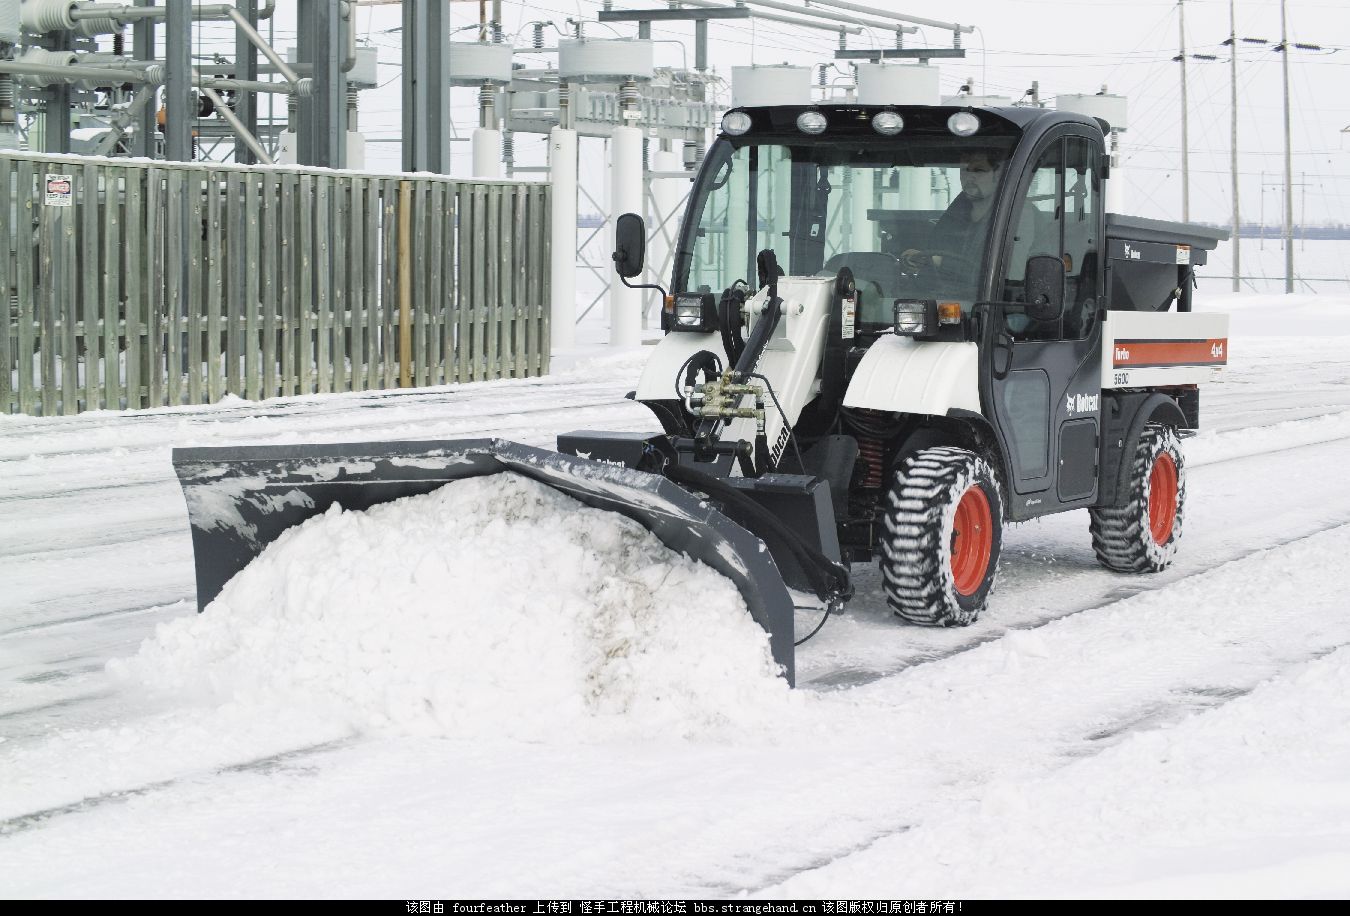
x=944, y=531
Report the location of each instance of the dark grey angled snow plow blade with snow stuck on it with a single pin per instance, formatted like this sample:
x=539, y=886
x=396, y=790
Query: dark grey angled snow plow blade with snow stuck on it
x=242, y=498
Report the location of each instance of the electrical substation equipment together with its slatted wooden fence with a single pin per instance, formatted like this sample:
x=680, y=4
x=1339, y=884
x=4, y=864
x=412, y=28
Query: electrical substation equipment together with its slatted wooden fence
x=128, y=126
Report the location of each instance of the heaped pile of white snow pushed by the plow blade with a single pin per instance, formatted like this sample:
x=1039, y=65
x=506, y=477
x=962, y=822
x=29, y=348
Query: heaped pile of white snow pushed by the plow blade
x=493, y=606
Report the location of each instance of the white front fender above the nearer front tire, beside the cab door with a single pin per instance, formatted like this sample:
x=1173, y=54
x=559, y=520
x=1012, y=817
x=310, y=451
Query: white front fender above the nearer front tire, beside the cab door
x=911, y=376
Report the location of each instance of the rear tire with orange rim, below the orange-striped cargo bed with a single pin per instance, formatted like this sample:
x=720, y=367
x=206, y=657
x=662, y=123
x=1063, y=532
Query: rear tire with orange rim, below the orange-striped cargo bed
x=1143, y=535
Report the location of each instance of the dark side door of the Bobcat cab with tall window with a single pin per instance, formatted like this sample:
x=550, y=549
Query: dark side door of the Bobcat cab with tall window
x=1046, y=385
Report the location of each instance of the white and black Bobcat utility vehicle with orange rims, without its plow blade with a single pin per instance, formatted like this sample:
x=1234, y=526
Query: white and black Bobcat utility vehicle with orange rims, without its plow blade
x=929, y=311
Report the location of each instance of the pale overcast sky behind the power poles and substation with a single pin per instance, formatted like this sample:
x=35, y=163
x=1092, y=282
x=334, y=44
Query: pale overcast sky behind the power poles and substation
x=1067, y=47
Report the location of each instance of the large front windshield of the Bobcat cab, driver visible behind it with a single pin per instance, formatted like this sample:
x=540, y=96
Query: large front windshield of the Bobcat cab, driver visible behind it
x=909, y=219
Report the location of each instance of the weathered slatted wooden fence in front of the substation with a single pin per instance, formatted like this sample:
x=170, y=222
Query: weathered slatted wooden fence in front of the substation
x=137, y=284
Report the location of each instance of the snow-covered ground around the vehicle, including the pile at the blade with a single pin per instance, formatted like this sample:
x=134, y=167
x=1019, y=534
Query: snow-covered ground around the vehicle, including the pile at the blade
x=493, y=694
